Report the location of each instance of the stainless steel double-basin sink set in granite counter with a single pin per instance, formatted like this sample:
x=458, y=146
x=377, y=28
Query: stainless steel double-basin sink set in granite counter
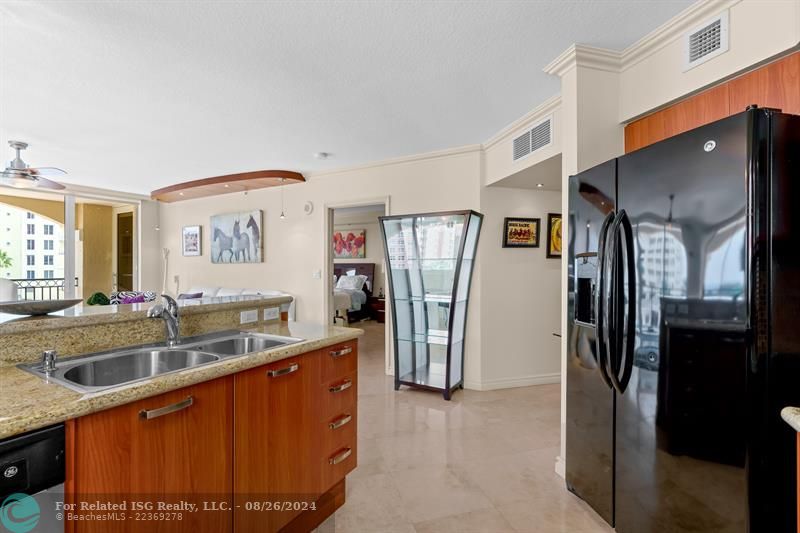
x=100, y=371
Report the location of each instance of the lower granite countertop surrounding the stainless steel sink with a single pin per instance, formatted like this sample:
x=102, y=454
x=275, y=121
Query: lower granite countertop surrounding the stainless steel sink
x=28, y=402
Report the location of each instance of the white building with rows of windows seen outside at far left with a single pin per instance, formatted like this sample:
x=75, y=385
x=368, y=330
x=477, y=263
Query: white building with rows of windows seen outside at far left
x=29, y=245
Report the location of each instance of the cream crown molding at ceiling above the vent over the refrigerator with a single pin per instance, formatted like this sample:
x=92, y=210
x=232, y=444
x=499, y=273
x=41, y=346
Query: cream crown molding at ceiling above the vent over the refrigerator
x=686, y=20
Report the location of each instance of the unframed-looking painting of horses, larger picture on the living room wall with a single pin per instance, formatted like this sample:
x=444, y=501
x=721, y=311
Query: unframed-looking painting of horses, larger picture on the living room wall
x=237, y=237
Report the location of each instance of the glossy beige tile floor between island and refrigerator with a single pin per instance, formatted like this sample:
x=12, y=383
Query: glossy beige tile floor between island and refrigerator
x=483, y=462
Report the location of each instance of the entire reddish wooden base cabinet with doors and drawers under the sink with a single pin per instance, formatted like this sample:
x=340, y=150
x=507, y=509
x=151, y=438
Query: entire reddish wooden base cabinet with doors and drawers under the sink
x=282, y=433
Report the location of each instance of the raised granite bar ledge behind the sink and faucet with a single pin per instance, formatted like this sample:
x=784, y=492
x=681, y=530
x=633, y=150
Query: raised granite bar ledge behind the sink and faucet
x=83, y=314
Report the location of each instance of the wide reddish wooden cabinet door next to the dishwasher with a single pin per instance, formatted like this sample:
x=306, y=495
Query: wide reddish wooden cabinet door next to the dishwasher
x=171, y=448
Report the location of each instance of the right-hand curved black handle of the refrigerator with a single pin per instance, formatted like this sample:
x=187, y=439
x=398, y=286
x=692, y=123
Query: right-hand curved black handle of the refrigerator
x=622, y=375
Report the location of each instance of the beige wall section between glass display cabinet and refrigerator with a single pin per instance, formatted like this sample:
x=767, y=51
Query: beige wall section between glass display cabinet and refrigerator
x=520, y=297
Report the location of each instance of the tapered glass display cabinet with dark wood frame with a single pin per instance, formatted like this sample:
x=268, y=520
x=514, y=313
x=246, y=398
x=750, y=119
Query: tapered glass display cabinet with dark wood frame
x=430, y=258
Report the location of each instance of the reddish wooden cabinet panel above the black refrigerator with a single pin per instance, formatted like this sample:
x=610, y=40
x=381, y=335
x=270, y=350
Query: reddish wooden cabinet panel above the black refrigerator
x=776, y=85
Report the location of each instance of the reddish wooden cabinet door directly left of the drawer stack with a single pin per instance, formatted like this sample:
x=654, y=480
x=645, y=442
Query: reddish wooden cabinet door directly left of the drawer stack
x=277, y=443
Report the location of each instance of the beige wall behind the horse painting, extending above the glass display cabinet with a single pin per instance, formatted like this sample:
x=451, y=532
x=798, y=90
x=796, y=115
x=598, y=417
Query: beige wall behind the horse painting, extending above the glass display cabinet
x=296, y=248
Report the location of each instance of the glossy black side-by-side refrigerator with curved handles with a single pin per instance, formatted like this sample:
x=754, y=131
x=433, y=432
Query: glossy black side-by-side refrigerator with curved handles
x=684, y=330
